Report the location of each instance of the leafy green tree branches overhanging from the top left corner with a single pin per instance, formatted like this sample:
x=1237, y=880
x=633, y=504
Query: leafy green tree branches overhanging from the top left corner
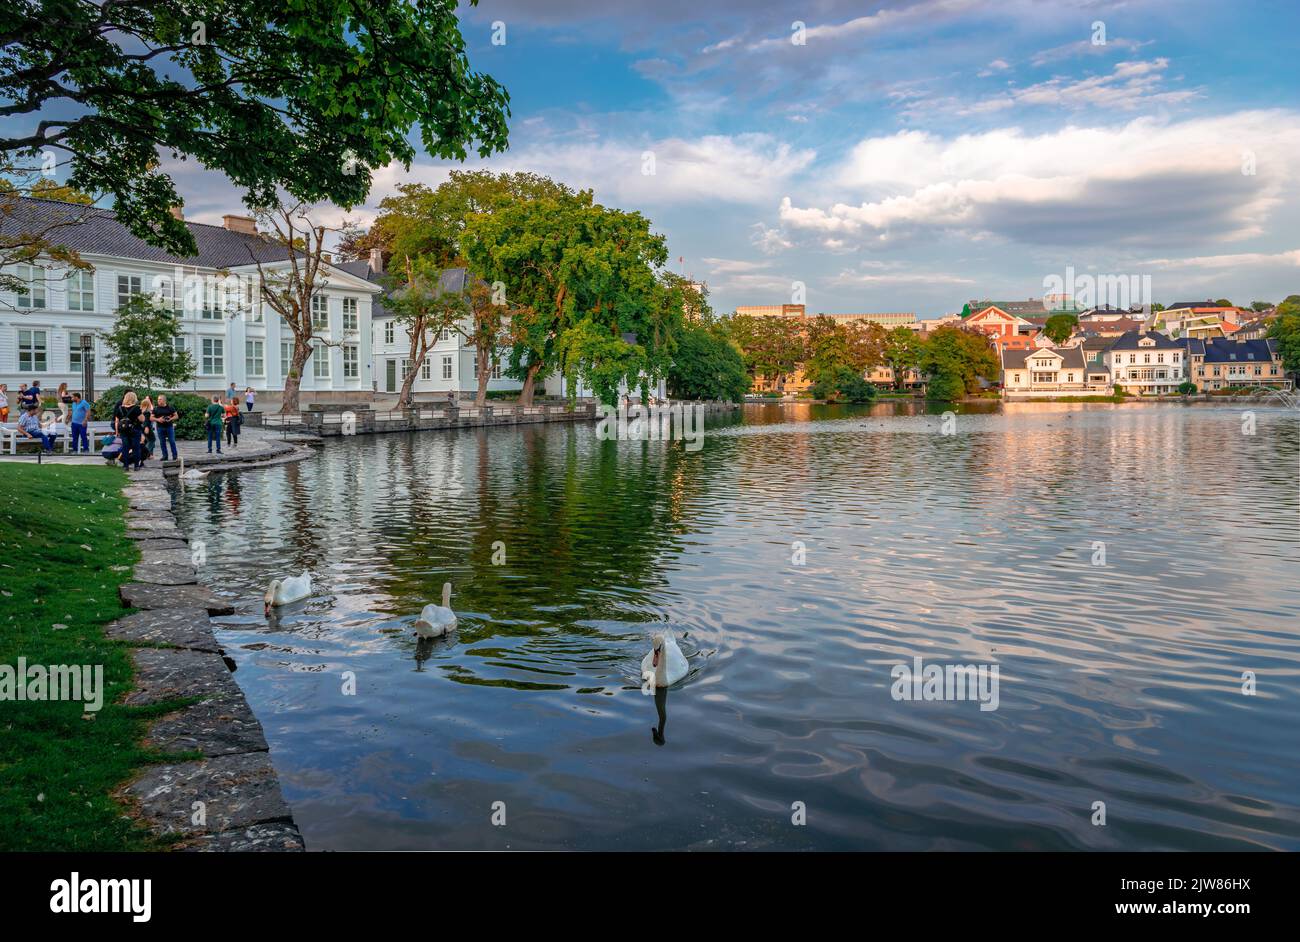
x=302, y=97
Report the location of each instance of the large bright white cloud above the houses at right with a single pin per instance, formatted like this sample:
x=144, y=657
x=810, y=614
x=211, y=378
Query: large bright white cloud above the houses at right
x=1146, y=181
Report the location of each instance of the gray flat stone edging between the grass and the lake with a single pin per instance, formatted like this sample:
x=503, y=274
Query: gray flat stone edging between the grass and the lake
x=231, y=798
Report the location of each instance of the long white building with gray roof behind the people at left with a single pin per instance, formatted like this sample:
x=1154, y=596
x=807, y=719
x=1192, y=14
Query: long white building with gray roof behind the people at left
x=231, y=335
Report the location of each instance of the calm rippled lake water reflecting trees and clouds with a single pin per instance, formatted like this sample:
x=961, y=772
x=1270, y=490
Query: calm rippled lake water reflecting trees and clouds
x=1119, y=683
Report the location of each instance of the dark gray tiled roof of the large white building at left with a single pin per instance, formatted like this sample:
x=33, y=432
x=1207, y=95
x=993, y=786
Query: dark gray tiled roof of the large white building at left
x=97, y=232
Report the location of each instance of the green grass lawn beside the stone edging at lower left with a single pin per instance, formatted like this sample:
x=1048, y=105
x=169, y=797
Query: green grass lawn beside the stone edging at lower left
x=58, y=767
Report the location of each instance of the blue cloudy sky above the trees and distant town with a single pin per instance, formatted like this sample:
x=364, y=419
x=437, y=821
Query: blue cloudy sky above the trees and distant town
x=913, y=154
